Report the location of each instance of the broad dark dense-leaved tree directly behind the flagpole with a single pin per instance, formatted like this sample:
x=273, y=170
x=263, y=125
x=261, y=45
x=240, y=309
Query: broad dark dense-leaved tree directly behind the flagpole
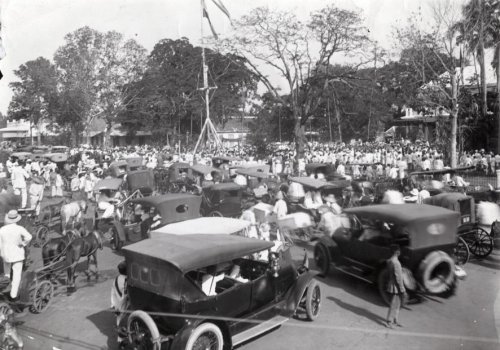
x=167, y=100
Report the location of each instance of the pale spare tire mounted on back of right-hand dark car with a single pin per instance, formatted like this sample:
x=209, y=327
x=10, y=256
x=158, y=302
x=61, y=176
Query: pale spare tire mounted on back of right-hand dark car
x=437, y=272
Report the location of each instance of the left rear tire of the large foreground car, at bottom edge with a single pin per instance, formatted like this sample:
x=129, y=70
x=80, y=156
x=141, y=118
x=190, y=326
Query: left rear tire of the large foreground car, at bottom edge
x=150, y=336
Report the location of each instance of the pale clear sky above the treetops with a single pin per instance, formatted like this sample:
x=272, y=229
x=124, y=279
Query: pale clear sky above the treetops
x=34, y=28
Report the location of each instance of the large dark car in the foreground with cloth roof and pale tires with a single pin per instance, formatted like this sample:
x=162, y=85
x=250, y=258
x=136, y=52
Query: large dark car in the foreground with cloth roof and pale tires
x=207, y=292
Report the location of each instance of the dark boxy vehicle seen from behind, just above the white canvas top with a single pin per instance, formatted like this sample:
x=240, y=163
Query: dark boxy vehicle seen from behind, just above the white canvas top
x=222, y=199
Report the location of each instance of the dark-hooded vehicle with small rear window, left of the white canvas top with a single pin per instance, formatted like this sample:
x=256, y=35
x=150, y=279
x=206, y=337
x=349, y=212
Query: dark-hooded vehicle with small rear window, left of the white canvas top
x=139, y=215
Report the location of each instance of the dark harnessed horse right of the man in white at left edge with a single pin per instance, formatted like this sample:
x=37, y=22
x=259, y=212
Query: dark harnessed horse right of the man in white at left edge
x=86, y=246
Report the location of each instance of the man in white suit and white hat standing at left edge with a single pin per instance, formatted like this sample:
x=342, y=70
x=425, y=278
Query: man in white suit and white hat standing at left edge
x=13, y=239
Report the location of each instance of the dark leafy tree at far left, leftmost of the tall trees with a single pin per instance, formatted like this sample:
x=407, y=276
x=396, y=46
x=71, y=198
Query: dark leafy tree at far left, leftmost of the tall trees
x=34, y=93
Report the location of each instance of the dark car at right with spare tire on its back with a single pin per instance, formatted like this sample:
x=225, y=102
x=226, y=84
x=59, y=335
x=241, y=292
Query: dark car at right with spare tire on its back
x=426, y=234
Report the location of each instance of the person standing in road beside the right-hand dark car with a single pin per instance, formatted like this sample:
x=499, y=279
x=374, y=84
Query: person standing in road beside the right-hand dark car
x=395, y=287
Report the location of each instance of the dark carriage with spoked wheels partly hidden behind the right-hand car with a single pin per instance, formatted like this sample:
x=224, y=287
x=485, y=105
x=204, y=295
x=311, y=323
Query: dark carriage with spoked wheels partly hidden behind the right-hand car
x=471, y=237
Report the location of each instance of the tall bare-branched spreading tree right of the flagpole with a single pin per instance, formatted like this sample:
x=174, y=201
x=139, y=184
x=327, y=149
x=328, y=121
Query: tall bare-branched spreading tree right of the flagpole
x=277, y=41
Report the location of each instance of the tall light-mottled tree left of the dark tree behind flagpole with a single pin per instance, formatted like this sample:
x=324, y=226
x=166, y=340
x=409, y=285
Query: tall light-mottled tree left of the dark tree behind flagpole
x=94, y=68
